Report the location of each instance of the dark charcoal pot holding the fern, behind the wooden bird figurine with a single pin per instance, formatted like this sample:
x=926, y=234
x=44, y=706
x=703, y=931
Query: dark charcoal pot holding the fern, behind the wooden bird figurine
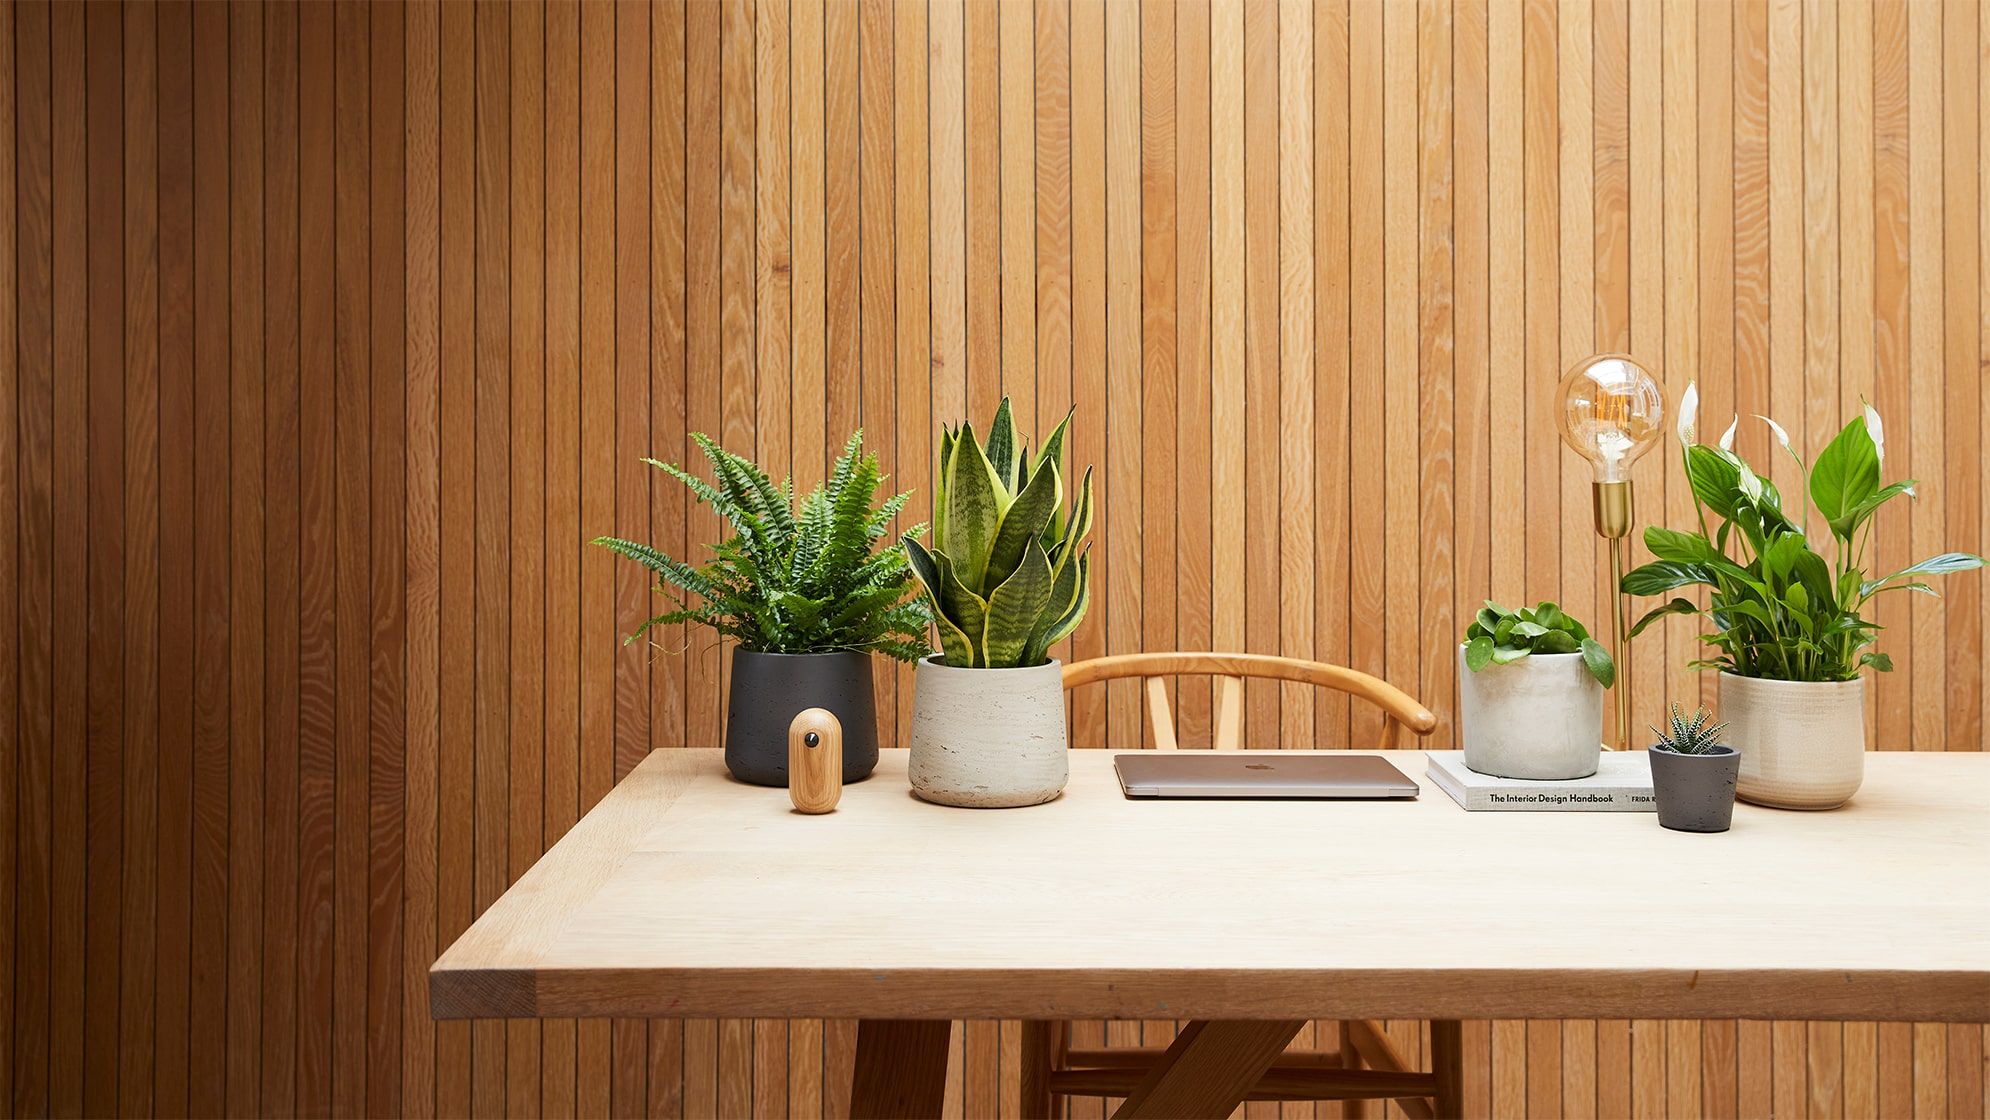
x=769, y=689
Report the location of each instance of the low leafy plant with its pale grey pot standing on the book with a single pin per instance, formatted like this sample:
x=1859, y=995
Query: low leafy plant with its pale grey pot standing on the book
x=1531, y=693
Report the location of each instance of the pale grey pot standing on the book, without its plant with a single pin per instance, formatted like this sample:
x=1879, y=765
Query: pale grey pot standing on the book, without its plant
x=1539, y=717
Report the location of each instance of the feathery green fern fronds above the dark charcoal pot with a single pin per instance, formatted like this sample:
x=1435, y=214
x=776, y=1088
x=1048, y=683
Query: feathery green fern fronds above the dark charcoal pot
x=809, y=580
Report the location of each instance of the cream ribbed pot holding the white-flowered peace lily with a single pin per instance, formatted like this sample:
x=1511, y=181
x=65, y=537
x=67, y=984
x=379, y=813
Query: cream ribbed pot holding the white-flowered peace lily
x=1802, y=741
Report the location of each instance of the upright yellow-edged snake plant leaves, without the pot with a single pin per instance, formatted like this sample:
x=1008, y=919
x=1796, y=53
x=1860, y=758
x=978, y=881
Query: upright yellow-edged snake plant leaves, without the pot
x=1008, y=576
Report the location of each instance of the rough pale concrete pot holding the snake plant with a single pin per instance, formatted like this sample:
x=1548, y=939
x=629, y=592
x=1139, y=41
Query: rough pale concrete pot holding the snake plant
x=988, y=739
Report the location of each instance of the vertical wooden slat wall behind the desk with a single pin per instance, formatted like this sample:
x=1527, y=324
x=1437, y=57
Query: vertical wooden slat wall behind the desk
x=329, y=331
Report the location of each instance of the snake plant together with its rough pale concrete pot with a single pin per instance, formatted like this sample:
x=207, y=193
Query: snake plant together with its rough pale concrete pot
x=1004, y=580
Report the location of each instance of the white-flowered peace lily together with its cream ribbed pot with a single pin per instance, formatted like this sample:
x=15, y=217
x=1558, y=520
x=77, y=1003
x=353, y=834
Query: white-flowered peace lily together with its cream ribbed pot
x=1790, y=630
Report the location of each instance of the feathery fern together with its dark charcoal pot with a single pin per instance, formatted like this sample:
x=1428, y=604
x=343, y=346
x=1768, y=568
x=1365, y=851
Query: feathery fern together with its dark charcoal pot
x=805, y=592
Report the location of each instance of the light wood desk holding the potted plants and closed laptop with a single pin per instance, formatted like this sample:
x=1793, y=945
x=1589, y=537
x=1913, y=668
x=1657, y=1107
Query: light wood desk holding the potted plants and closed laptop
x=686, y=894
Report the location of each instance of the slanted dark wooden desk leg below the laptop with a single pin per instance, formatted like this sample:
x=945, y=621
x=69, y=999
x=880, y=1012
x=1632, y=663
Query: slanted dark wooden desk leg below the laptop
x=1209, y=1069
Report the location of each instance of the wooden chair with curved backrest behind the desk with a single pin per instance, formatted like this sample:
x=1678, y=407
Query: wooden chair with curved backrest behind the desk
x=1054, y=1069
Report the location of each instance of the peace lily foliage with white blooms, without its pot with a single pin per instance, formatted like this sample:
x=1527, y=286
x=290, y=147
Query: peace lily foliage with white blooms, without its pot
x=1780, y=610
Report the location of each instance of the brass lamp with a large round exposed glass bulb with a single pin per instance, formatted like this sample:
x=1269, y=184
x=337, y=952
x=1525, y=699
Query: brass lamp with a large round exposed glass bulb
x=1611, y=411
